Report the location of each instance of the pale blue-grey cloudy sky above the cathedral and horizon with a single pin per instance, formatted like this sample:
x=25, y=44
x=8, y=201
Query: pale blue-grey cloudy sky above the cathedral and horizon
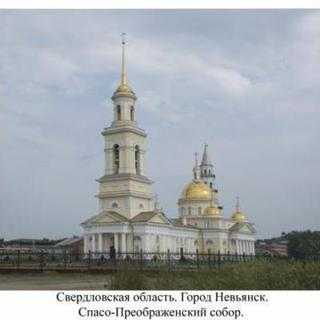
x=245, y=82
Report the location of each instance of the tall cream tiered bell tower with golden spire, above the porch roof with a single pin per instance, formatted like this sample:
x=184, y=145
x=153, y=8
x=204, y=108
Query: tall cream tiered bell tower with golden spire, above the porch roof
x=124, y=188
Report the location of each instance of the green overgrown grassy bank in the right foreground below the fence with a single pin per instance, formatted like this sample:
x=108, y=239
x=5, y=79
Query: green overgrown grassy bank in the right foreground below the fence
x=264, y=275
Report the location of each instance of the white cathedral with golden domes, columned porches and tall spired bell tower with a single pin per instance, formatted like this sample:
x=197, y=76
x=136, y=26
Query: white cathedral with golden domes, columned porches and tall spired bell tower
x=129, y=218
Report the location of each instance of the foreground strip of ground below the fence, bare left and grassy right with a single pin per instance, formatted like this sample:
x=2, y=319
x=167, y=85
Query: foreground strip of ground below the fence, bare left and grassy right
x=255, y=275
